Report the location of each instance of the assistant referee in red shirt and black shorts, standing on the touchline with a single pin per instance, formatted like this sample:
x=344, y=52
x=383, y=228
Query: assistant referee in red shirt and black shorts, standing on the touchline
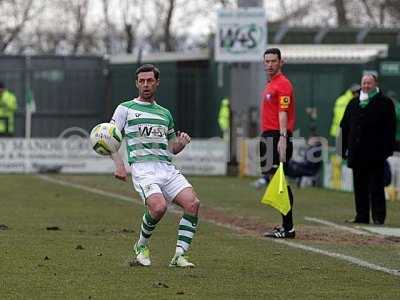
x=277, y=124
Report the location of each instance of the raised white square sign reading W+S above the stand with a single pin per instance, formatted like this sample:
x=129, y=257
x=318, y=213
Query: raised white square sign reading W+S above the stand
x=241, y=35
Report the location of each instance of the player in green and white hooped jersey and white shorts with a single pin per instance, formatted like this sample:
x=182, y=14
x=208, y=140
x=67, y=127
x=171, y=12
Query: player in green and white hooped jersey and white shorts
x=151, y=138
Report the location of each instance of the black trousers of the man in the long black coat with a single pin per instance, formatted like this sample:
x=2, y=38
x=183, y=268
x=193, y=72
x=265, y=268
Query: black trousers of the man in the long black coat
x=369, y=193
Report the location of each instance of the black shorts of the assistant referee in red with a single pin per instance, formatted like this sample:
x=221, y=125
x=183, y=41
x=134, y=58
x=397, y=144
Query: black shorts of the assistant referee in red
x=269, y=156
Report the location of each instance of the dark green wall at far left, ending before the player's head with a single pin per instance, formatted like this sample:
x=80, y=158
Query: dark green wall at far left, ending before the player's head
x=69, y=91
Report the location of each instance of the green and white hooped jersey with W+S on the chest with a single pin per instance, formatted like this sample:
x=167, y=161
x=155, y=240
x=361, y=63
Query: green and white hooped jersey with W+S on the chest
x=147, y=128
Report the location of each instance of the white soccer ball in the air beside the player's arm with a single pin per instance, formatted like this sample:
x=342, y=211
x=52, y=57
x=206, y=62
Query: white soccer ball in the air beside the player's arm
x=105, y=138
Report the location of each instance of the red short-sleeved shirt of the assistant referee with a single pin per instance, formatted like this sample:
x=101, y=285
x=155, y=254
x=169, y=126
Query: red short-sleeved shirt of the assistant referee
x=277, y=96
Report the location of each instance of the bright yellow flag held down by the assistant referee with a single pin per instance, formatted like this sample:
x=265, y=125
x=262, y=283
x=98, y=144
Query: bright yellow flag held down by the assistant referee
x=276, y=194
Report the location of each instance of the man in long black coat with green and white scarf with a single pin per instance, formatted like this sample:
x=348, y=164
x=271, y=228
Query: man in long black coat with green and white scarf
x=368, y=132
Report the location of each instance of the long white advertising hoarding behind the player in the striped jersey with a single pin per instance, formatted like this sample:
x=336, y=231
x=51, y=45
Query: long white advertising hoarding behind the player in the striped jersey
x=74, y=155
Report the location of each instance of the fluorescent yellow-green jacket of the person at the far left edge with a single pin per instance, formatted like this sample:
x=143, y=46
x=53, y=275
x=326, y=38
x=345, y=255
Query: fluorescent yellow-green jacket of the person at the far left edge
x=8, y=106
